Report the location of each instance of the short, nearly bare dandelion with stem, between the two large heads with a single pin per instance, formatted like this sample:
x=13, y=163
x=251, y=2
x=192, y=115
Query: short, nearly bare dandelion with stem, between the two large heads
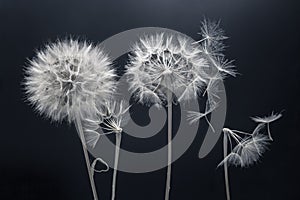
x=115, y=118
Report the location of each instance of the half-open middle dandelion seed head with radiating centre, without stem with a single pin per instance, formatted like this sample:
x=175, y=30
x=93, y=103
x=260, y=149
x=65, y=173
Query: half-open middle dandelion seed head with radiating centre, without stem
x=163, y=61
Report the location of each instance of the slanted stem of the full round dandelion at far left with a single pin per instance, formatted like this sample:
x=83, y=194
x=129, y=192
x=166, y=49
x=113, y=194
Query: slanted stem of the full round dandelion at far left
x=86, y=156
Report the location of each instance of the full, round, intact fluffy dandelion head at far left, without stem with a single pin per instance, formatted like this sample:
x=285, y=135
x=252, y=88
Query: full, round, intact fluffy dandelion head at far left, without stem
x=69, y=78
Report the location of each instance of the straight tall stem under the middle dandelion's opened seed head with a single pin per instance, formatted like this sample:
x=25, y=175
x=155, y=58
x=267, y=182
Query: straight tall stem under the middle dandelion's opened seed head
x=168, y=180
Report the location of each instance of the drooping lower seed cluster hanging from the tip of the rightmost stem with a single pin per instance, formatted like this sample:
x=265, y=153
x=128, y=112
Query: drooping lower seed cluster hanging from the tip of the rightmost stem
x=248, y=149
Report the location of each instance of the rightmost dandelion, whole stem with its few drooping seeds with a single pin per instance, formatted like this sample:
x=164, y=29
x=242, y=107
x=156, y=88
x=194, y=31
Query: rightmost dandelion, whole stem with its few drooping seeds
x=249, y=147
